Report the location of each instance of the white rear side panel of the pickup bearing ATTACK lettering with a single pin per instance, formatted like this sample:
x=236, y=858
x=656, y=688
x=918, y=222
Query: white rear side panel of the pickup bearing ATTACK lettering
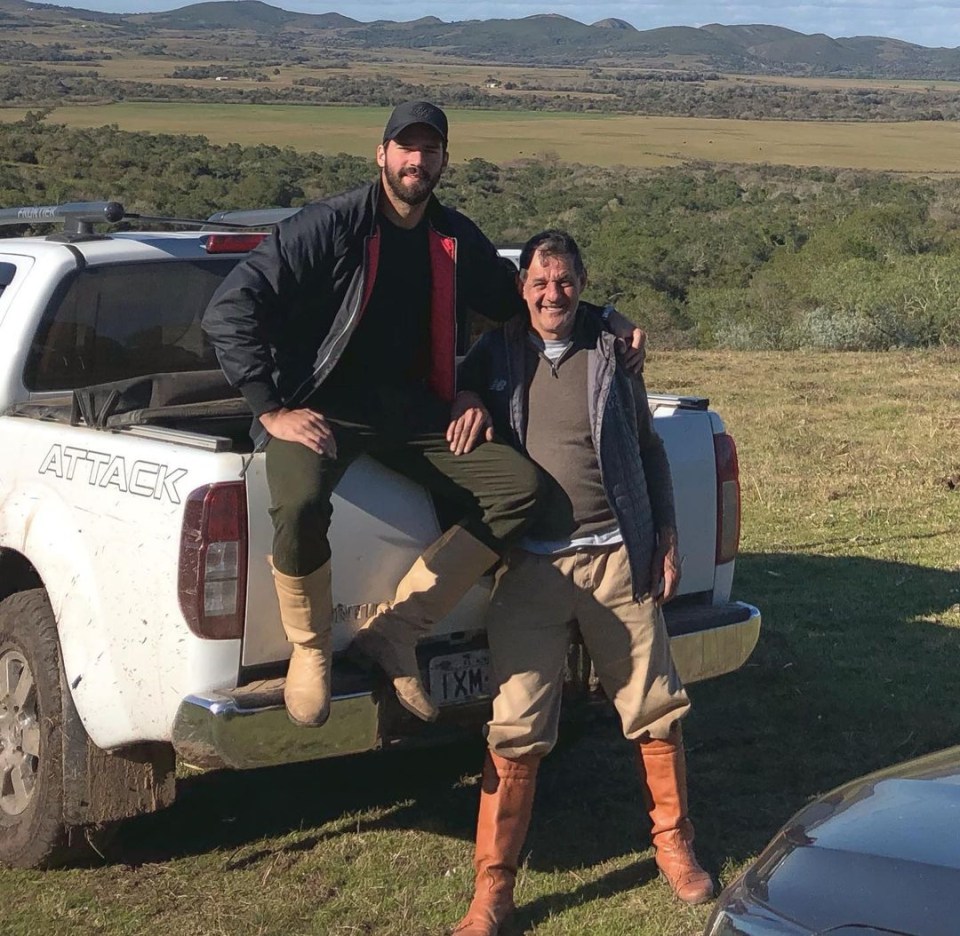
x=99, y=516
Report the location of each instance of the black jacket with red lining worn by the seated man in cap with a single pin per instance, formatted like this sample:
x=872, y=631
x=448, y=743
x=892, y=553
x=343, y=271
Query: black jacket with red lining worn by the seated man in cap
x=282, y=317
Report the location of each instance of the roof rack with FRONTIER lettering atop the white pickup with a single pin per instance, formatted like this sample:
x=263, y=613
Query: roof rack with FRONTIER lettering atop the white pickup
x=78, y=218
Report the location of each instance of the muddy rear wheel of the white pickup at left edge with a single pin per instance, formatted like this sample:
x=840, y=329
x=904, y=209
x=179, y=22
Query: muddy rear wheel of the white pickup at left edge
x=32, y=831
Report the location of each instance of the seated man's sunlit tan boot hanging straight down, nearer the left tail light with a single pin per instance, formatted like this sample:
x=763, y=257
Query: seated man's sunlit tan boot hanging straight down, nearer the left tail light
x=305, y=611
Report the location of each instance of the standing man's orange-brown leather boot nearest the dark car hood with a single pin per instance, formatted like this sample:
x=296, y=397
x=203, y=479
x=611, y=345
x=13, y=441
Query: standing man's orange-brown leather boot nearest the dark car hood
x=663, y=776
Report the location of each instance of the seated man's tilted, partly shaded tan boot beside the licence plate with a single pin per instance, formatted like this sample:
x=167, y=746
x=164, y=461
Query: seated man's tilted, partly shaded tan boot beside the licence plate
x=431, y=589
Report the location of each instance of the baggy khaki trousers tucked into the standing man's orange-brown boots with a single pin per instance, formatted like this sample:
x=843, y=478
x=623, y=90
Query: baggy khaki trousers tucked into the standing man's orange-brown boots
x=535, y=601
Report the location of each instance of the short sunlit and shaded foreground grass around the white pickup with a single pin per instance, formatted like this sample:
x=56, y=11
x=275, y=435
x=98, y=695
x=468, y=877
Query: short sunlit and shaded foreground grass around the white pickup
x=850, y=467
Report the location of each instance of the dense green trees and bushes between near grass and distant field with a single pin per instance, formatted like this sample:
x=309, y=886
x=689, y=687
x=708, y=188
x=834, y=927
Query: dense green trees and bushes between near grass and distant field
x=703, y=256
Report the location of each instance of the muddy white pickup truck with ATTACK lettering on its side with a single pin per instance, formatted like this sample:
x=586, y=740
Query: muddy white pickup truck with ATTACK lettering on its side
x=138, y=619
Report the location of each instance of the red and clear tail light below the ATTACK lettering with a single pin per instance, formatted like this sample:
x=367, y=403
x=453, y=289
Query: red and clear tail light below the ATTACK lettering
x=212, y=583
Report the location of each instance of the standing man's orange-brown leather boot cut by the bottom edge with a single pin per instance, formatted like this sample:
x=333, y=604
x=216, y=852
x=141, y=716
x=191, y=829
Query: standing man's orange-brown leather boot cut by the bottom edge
x=506, y=803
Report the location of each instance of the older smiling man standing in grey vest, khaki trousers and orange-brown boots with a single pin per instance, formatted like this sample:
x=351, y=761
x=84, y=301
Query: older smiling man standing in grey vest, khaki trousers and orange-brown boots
x=602, y=555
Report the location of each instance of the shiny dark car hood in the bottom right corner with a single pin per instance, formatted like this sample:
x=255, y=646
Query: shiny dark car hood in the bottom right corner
x=881, y=851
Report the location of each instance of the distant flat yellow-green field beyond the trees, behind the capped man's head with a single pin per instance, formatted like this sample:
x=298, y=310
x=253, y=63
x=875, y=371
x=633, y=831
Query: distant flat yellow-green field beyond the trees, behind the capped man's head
x=928, y=147
